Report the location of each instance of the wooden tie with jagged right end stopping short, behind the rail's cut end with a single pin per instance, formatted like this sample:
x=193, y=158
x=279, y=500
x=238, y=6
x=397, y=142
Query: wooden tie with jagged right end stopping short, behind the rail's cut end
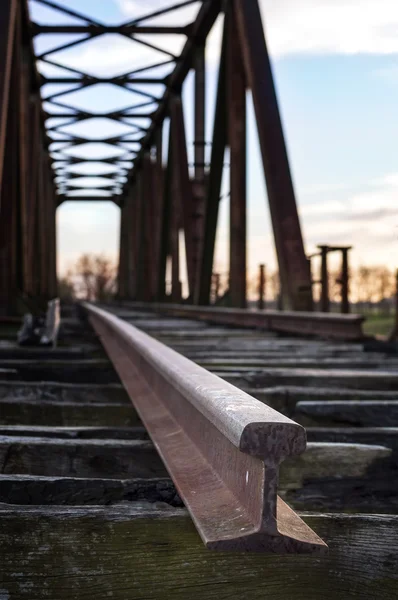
x=120, y=458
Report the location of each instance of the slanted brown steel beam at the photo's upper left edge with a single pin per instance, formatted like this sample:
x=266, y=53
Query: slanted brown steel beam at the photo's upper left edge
x=8, y=12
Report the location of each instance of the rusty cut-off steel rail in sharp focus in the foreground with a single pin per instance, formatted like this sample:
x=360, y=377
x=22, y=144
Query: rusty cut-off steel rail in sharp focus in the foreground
x=221, y=446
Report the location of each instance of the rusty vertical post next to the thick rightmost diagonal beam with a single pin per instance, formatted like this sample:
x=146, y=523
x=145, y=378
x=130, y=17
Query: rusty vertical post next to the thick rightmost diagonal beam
x=236, y=86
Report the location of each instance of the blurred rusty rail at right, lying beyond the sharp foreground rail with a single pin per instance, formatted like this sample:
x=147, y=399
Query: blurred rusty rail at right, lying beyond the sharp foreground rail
x=328, y=325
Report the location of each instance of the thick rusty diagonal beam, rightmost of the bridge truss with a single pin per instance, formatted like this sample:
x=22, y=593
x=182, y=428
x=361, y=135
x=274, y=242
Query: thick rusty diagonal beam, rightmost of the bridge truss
x=293, y=266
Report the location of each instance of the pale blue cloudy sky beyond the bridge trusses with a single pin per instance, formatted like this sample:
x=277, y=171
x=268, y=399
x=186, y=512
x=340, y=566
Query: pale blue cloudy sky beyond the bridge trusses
x=335, y=65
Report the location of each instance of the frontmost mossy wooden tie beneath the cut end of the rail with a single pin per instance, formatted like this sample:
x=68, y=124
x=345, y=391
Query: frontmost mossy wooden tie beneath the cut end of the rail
x=155, y=553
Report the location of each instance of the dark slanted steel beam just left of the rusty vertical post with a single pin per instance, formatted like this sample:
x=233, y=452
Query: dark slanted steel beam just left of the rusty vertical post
x=212, y=198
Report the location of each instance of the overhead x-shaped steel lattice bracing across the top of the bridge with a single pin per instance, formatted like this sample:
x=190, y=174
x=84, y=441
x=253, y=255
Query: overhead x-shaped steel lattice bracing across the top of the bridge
x=72, y=142
